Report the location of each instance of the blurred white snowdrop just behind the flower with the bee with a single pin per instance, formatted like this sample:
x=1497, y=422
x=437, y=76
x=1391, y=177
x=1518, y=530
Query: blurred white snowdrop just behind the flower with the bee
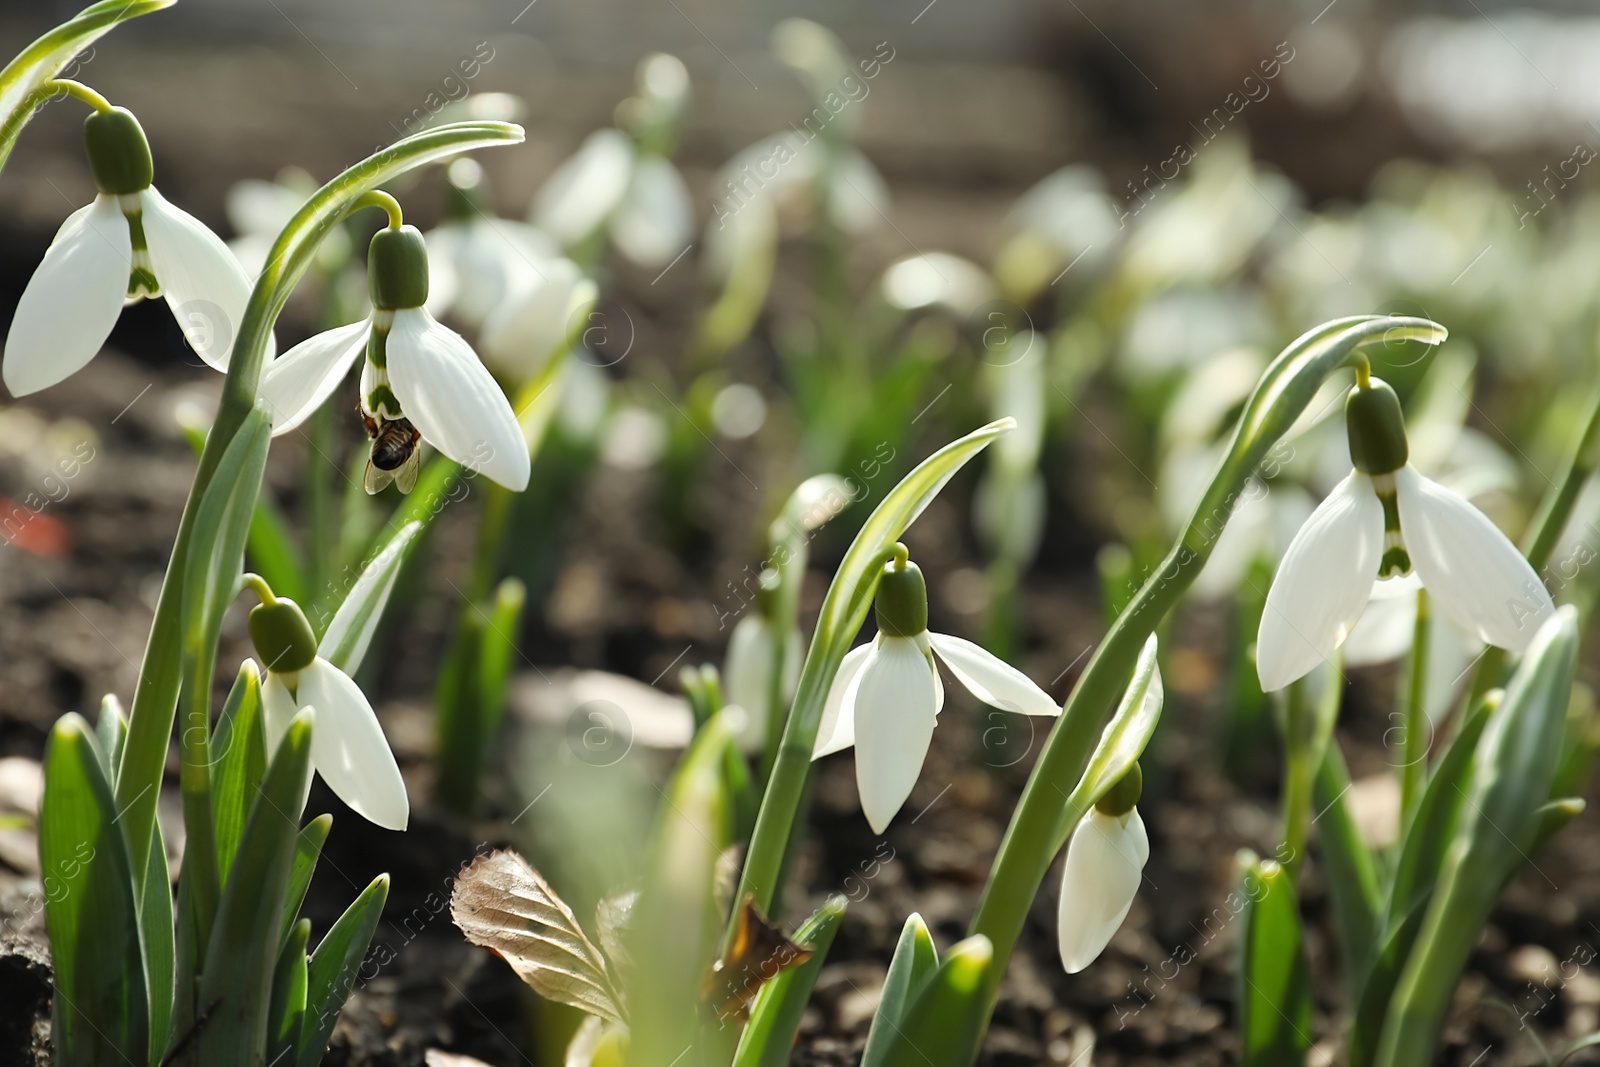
x=476, y=260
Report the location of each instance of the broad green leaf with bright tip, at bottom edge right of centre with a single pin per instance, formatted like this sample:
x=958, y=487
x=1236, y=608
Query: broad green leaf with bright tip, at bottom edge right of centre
x=943, y=1026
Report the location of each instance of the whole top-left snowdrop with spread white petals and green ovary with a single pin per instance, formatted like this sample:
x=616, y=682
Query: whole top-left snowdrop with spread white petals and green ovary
x=130, y=244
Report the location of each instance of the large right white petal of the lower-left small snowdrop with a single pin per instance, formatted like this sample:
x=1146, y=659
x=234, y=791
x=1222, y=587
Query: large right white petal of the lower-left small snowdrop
x=350, y=749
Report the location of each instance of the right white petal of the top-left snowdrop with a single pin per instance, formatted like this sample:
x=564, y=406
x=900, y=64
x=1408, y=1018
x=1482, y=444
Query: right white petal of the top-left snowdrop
x=201, y=279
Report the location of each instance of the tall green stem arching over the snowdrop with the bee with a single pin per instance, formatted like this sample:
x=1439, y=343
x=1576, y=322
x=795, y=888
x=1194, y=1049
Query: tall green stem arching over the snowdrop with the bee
x=158, y=690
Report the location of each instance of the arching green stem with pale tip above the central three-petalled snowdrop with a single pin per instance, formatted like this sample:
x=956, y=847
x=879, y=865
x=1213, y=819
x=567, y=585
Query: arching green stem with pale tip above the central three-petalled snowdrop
x=844, y=610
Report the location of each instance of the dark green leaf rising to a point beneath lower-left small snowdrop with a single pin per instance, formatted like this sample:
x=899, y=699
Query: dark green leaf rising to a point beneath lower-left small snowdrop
x=236, y=985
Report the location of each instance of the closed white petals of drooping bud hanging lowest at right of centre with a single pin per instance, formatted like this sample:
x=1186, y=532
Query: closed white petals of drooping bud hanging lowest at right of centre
x=1103, y=873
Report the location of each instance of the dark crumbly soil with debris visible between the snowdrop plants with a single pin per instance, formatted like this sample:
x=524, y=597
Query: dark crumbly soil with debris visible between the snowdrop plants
x=79, y=593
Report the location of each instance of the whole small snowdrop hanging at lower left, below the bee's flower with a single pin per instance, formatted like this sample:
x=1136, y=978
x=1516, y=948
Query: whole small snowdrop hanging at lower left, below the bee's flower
x=348, y=746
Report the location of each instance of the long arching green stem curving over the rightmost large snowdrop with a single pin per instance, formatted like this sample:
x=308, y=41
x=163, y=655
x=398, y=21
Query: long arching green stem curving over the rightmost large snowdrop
x=1030, y=844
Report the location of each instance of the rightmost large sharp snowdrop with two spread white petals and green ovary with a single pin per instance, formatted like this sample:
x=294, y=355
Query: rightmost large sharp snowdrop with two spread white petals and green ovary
x=1385, y=522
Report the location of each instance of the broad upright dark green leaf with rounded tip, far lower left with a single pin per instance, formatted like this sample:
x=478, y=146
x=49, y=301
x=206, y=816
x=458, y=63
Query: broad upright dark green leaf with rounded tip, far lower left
x=102, y=1013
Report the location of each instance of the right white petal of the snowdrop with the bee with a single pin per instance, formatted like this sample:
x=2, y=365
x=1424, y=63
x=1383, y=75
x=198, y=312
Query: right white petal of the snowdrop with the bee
x=454, y=401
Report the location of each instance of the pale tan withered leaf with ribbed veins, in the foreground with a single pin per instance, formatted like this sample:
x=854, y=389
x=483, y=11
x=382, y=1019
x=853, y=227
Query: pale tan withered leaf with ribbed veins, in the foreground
x=505, y=905
